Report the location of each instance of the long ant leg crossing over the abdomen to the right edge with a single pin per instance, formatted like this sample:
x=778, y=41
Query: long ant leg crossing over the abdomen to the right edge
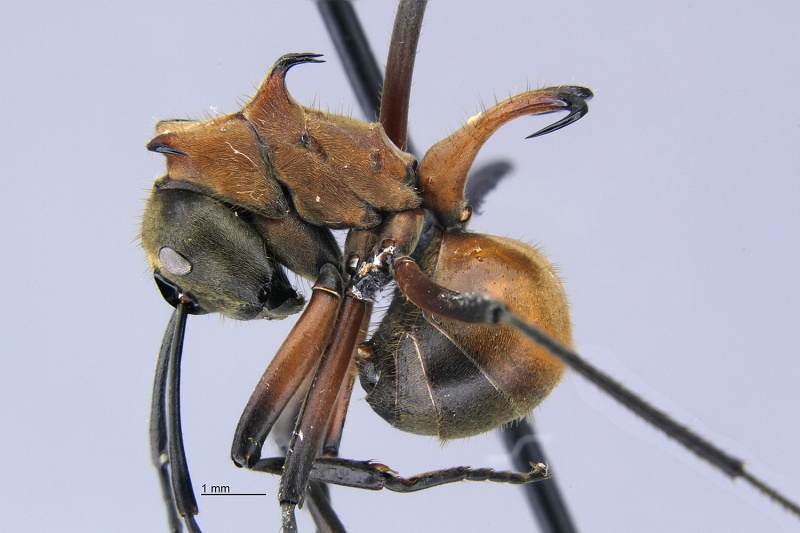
x=477, y=308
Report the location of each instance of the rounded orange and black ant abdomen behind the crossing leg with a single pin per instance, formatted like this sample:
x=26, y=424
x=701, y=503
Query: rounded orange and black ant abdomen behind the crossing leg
x=416, y=366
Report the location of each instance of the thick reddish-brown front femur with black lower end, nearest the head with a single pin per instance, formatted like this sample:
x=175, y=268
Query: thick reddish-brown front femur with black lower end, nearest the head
x=296, y=359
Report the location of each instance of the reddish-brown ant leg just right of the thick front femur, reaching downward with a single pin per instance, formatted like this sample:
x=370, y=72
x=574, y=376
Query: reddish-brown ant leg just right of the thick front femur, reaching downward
x=316, y=410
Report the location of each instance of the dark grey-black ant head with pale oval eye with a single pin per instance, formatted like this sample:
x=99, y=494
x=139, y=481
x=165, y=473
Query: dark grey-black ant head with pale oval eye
x=206, y=252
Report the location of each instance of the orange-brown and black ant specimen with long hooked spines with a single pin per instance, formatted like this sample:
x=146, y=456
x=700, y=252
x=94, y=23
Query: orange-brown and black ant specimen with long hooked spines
x=478, y=332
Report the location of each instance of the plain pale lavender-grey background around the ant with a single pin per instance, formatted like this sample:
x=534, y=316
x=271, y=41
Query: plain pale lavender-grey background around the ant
x=671, y=210
